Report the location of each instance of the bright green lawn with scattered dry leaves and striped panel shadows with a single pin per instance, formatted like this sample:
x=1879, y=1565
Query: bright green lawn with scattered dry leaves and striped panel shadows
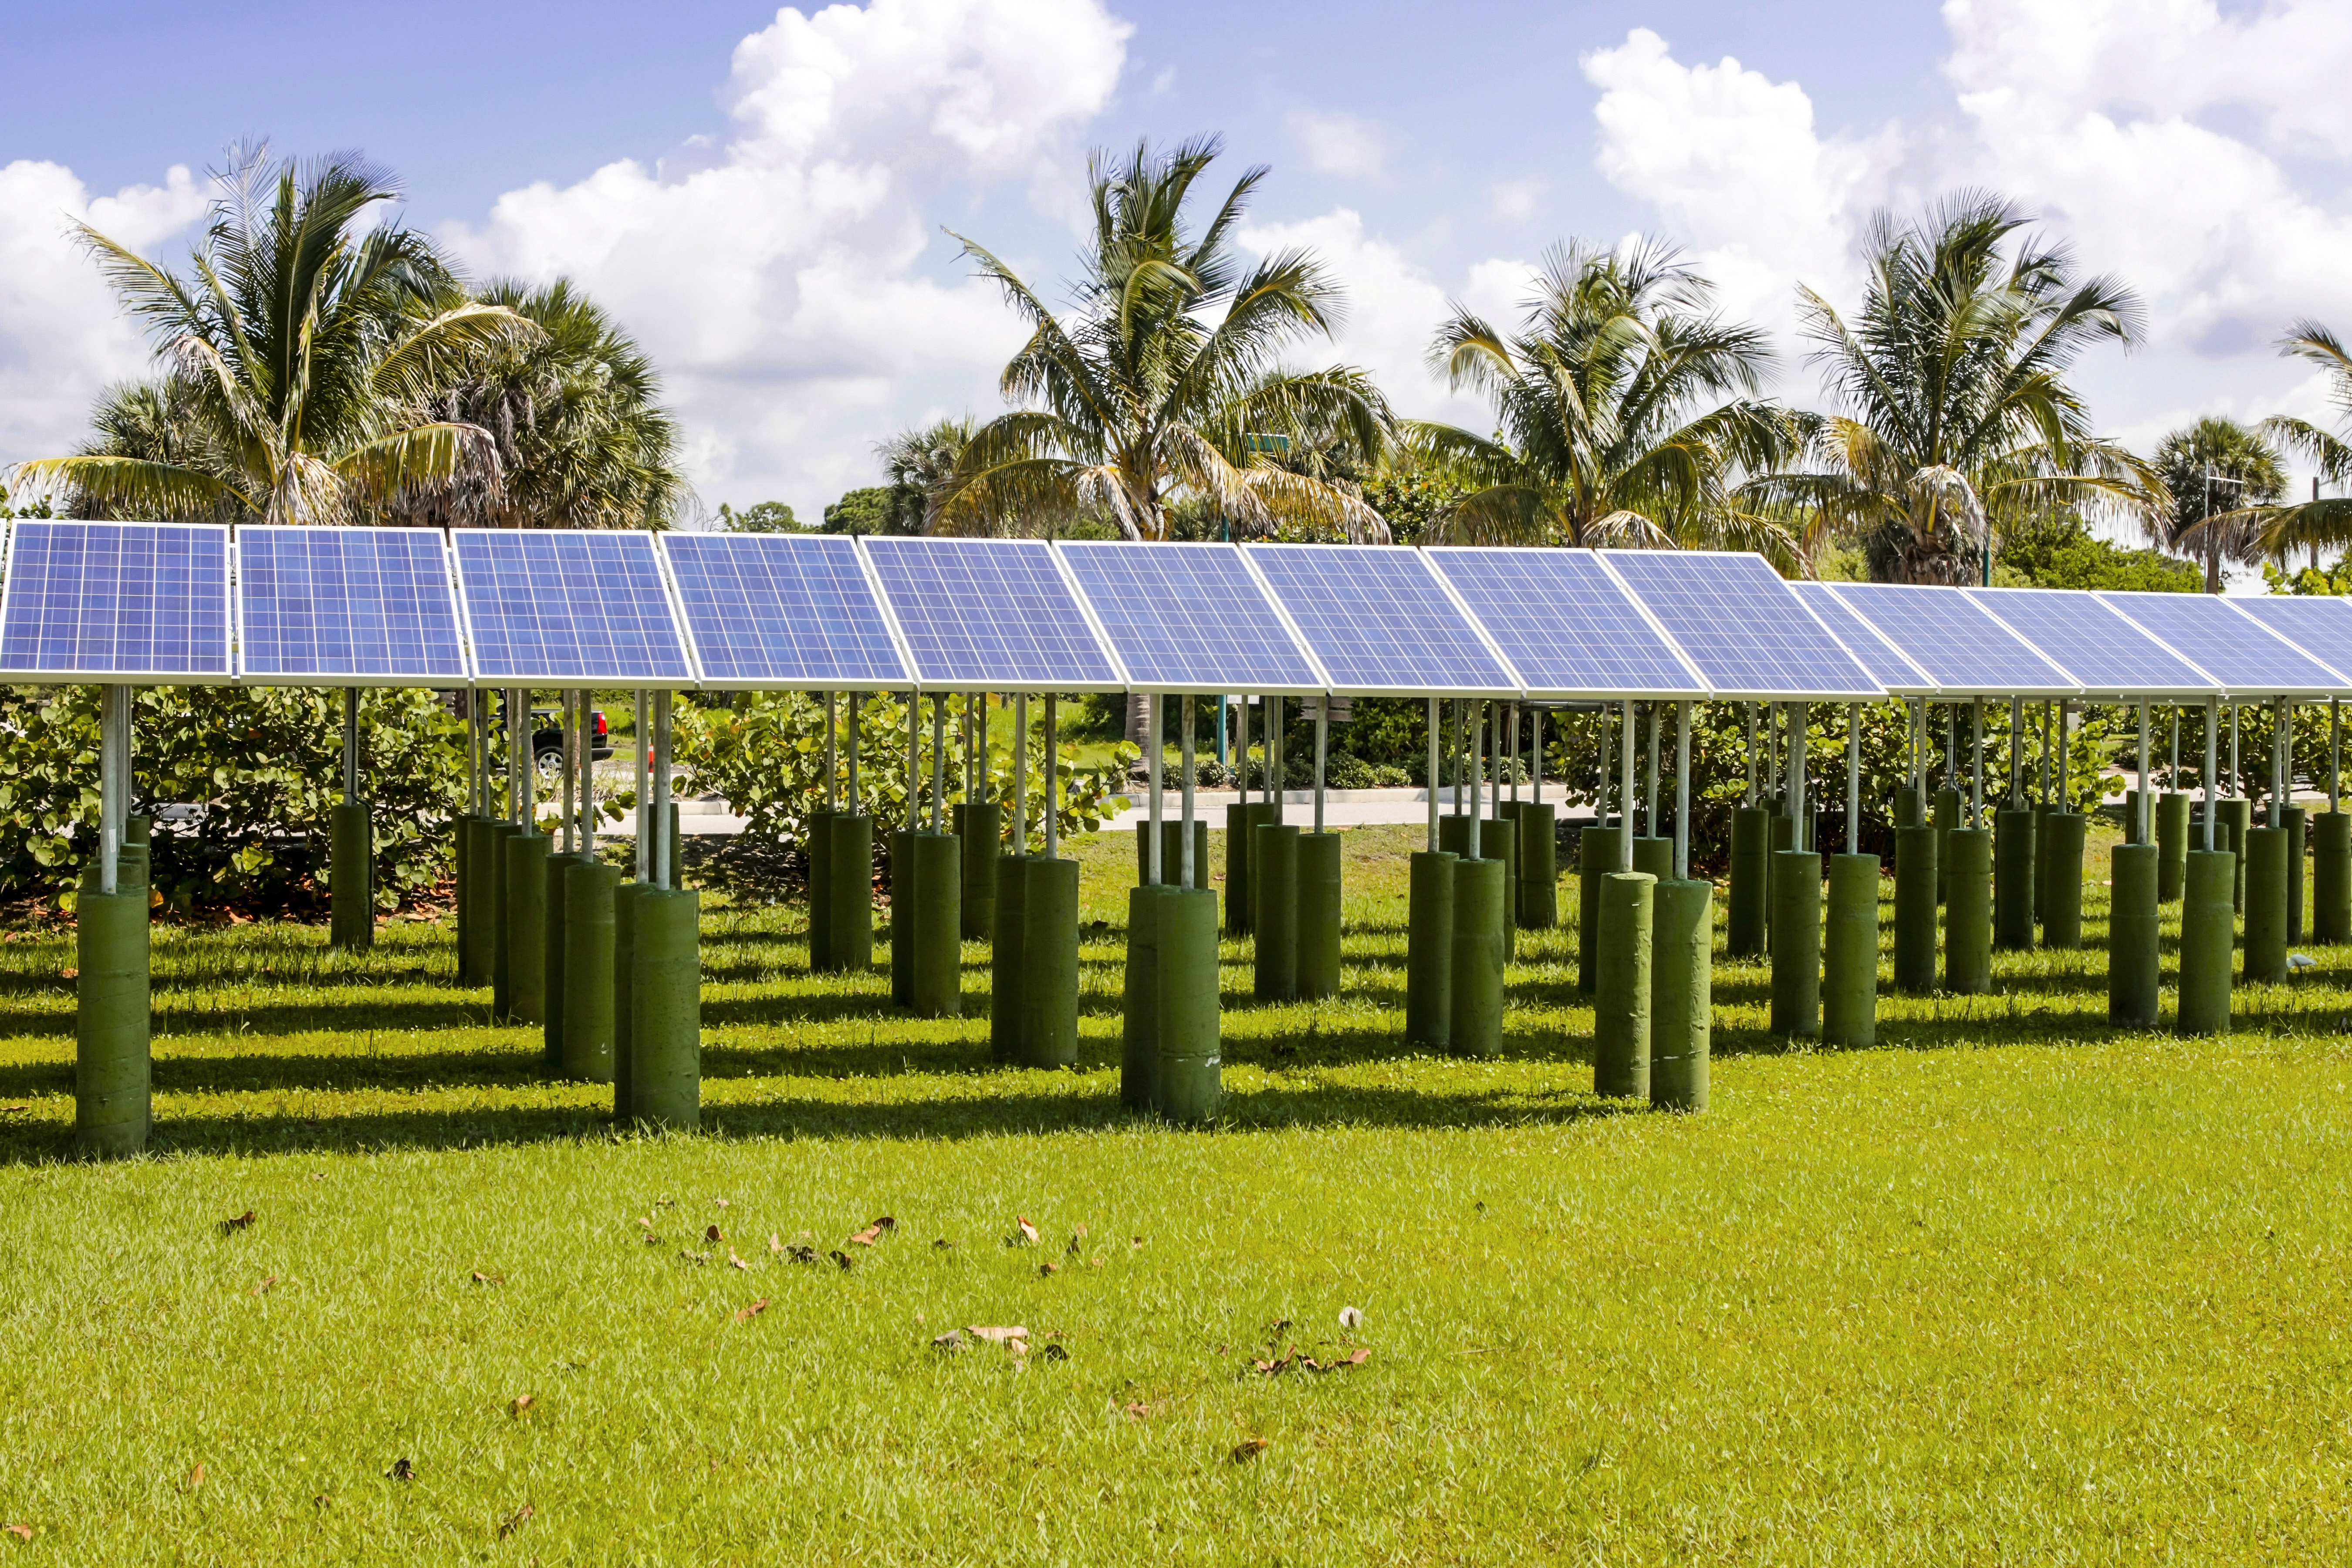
x=2010, y=1287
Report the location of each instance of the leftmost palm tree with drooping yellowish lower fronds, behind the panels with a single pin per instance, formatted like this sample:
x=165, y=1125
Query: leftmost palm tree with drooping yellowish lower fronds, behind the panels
x=300, y=354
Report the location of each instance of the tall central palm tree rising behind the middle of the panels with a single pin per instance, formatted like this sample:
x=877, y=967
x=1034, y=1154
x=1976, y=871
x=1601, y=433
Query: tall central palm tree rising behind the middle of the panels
x=1165, y=375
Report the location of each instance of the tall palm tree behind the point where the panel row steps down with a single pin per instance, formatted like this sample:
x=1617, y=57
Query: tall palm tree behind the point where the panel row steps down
x=1956, y=417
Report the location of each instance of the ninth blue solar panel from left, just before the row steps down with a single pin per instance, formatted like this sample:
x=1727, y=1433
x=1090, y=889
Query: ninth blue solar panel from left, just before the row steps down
x=1742, y=626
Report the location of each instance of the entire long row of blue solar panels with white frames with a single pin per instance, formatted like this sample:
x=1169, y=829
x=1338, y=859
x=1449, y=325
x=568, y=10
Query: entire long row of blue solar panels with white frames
x=159, y=603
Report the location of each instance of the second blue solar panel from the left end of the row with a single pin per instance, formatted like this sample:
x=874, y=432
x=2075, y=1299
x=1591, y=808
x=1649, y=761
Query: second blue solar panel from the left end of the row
x=347, y=605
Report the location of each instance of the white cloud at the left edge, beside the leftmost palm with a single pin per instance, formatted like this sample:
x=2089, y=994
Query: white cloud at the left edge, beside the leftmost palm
x=62, y=337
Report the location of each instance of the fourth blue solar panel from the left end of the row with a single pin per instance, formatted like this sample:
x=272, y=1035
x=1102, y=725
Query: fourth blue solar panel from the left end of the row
x=784, y=610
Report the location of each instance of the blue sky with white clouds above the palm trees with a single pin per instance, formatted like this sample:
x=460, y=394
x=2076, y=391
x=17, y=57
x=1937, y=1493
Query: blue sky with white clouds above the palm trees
x=761, y=196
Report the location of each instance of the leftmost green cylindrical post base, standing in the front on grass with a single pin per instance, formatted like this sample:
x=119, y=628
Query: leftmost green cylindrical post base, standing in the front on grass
x=112, y=1066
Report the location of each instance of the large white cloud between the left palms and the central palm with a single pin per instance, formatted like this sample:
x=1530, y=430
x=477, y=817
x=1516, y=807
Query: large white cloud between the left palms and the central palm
x=775, y=272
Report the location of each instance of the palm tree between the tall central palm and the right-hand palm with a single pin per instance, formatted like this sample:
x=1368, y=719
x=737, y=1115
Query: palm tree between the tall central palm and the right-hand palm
x=1626, y=413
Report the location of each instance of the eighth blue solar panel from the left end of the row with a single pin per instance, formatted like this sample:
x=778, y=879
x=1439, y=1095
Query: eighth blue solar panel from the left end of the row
x=1565, y=624
